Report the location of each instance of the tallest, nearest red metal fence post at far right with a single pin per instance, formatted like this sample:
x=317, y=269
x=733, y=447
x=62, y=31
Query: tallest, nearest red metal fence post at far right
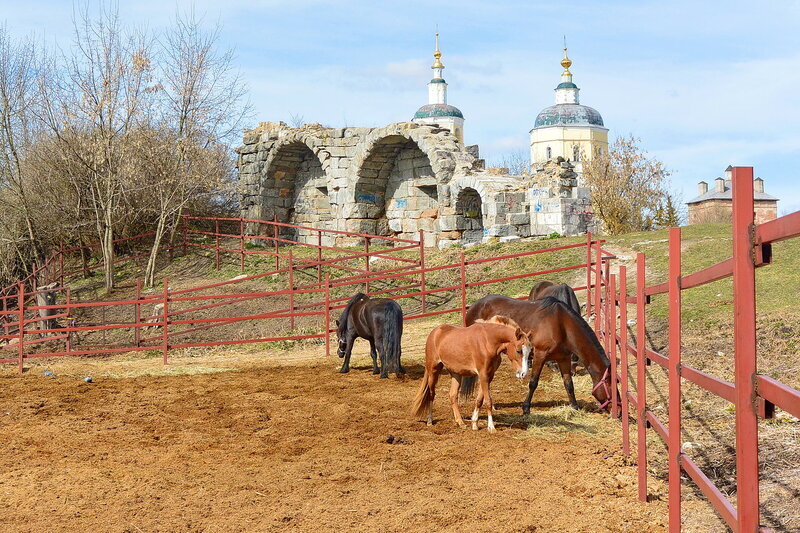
x=744, y=327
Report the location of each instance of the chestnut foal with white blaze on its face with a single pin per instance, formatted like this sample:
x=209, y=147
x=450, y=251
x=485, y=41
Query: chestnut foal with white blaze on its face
x=470, y=351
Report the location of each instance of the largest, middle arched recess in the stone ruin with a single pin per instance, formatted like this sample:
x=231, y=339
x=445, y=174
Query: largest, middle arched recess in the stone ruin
x=396, y=187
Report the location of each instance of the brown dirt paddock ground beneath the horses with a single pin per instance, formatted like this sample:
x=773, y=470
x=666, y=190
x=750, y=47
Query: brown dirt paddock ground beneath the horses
x=256, y=445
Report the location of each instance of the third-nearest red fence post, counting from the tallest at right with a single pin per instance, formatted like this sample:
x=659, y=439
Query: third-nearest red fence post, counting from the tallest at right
x=641, y=378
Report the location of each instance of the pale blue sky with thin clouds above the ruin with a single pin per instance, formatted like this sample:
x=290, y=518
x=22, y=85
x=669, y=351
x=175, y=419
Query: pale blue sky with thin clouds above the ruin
x=703, y=84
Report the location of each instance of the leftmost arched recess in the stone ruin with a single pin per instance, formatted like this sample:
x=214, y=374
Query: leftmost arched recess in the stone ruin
x=294, y=187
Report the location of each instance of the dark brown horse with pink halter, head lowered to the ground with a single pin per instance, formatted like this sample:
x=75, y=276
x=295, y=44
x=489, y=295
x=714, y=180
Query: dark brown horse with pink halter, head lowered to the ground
x=557, y=332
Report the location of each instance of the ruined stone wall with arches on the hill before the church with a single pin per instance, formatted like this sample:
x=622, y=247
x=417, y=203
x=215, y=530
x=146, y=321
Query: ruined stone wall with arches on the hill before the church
x=396, y=181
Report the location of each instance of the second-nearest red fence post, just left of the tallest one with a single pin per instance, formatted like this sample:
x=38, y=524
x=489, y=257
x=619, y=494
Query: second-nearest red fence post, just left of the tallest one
x=674, y=373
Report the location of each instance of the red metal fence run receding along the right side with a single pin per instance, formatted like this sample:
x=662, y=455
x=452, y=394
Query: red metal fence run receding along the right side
x=751, y=393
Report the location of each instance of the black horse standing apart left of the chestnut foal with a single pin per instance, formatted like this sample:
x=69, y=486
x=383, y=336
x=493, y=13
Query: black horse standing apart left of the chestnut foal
x=380, y=321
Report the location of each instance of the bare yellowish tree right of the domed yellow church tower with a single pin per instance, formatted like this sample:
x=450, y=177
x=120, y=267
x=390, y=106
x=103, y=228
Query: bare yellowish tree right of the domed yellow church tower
x=626, y=186
